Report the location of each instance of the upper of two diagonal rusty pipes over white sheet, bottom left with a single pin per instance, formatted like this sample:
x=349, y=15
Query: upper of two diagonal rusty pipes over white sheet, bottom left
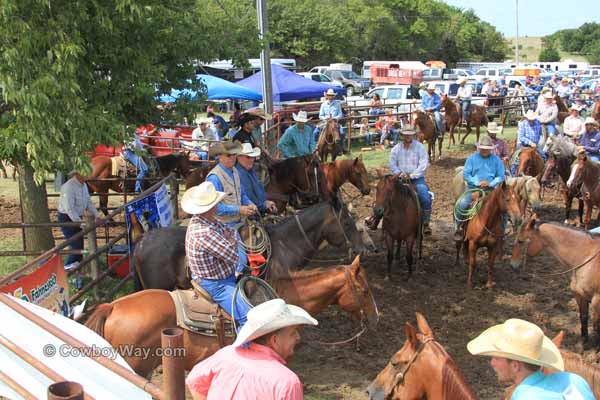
x=118, y=369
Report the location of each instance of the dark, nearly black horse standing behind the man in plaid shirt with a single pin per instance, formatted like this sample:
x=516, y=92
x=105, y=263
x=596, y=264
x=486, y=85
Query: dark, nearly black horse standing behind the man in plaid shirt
x=159, y=257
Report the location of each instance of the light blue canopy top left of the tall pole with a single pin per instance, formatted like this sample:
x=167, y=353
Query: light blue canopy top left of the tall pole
x=217, y=89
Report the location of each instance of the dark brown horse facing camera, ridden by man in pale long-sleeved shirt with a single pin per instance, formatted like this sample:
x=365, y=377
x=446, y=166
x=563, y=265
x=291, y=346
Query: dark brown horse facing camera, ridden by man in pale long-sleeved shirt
x=397, y=203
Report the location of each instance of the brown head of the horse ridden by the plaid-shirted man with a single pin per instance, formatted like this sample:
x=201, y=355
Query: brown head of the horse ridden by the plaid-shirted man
x=356, y=297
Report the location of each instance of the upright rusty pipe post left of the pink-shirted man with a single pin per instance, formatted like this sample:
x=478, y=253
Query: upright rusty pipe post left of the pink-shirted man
x=172, y=363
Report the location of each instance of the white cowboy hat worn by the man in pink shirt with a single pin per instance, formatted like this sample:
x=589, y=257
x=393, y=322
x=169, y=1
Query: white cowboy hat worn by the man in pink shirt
x=271, y=316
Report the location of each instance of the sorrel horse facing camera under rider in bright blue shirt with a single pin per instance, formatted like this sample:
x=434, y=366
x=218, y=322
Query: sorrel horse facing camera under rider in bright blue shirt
x=485, y=229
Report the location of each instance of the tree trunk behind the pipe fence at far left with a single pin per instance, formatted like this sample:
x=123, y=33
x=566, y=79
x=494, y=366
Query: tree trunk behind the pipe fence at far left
x=34, y=205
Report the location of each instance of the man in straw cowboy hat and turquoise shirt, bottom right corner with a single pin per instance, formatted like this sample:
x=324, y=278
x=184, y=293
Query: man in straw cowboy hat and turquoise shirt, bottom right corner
x=519, y=349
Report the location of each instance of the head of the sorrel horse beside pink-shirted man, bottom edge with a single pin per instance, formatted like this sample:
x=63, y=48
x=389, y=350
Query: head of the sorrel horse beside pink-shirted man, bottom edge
x=413, y=368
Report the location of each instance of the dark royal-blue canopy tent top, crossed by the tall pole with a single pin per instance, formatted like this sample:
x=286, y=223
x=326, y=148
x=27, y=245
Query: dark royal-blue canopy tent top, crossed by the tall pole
x=288, y=85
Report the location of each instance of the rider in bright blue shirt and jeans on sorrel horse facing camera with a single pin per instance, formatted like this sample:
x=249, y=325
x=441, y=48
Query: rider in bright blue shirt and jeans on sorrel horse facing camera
x=483, y=170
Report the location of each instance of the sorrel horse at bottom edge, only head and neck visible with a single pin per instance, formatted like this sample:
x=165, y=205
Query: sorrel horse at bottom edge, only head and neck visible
x=421, y=369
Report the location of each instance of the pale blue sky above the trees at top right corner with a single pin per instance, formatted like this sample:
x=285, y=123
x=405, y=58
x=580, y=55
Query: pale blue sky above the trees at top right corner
x=536, y=17
